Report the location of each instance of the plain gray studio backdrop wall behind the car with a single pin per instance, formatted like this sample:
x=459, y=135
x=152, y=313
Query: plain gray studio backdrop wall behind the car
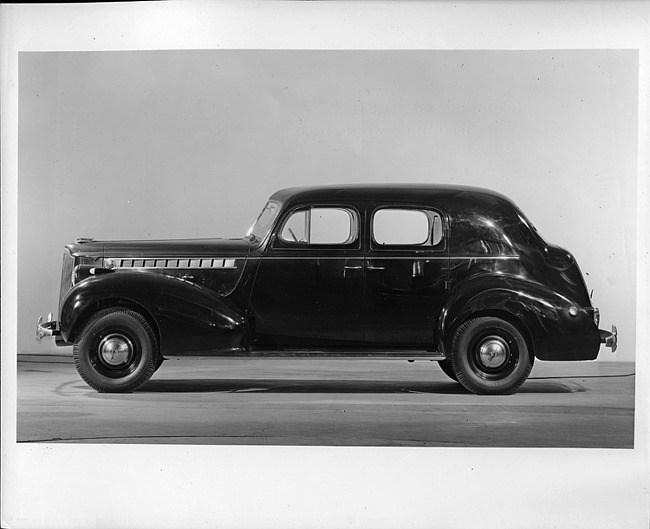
x=169, y=144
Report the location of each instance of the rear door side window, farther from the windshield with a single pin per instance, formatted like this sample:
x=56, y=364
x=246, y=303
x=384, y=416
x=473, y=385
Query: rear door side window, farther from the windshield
x=401, y=226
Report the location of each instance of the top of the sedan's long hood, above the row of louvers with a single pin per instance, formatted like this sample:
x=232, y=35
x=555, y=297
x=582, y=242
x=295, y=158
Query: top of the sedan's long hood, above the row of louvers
x=162, y=248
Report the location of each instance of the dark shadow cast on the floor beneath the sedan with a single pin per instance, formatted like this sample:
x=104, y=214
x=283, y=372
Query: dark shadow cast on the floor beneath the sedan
x=336, y=386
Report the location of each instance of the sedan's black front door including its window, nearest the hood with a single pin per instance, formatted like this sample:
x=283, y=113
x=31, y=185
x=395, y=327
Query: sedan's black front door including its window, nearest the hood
x=309, y=286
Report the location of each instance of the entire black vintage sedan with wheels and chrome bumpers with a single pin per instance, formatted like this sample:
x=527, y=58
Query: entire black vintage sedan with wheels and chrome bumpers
x=447, y=273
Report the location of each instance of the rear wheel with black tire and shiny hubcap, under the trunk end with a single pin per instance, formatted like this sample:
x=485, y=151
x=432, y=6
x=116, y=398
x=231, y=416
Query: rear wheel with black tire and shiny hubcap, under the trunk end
x=490, y=356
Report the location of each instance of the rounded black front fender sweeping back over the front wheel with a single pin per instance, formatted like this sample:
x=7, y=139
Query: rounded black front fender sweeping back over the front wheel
x=189, y=319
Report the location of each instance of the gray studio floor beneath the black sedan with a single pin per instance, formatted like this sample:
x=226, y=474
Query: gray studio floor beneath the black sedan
x=327, y=402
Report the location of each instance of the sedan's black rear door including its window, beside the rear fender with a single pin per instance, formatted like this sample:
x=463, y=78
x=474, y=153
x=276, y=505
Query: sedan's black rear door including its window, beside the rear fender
x=406, y=272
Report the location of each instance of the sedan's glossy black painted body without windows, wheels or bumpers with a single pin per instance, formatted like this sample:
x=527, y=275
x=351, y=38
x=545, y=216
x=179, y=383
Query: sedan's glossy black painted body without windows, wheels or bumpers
x=277, y=294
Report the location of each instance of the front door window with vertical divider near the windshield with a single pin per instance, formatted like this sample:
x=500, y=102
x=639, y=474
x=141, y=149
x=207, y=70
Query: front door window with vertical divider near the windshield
x=321, y=225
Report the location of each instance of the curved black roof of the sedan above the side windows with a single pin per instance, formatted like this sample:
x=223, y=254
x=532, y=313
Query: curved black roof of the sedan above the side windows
x=449, y=196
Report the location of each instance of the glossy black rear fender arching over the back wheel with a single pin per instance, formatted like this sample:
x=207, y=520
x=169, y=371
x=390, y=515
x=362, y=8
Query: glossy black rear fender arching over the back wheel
x=553, y=332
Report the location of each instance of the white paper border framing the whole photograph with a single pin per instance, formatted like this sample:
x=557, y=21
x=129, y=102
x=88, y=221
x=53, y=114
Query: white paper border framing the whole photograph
x=51, y=485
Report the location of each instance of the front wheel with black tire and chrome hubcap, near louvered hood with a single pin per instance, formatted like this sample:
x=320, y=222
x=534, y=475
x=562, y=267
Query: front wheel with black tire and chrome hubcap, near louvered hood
x=117, y=351
